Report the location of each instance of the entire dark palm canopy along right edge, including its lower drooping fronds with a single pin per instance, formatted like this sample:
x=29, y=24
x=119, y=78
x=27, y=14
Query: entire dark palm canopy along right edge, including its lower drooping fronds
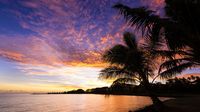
x=179, y=29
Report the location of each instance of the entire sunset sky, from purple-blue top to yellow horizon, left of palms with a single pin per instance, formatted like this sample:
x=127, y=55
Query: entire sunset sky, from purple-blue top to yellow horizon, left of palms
x=56, y=45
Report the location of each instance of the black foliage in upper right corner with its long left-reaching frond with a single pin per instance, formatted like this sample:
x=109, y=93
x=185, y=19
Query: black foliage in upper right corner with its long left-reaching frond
x=179, y=27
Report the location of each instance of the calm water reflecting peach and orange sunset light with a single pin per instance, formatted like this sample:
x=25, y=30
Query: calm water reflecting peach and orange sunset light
x=70, y=103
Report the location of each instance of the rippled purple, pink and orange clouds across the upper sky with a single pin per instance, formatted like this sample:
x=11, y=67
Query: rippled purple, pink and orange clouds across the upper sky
x=66, y=32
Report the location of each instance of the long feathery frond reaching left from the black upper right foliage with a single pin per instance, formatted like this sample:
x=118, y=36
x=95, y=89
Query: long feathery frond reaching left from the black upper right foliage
x=144, y=20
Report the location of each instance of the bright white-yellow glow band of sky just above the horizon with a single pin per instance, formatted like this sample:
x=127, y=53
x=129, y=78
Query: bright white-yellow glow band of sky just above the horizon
x=45, y=78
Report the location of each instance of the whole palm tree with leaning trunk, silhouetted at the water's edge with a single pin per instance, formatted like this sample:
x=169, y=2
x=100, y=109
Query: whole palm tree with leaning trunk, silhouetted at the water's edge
x=130, y=61
